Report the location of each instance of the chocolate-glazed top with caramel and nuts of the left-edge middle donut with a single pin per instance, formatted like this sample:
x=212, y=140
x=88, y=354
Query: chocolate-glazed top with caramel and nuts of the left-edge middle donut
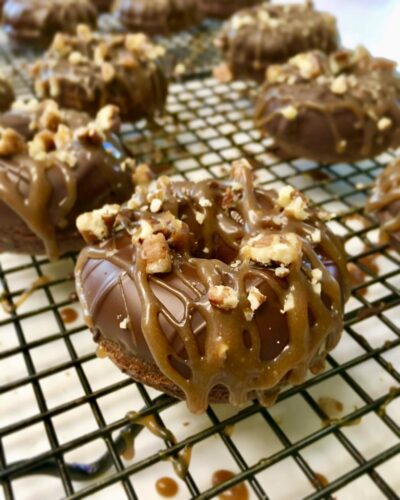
x=40, y=178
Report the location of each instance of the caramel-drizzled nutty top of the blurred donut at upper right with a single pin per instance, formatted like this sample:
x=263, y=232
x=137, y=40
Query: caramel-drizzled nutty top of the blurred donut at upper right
x=341, y=82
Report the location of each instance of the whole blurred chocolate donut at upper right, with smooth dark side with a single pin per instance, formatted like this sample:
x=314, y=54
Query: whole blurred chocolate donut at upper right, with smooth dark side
x=338, y=108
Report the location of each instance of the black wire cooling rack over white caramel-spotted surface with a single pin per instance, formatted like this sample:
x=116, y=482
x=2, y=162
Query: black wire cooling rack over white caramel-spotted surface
x=62, y=409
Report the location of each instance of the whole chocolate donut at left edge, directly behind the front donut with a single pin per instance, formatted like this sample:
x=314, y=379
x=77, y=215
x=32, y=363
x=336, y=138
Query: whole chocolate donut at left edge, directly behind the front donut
x=67, y=166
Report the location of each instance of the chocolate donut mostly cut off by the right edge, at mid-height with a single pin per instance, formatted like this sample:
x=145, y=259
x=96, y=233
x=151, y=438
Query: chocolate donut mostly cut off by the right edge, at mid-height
x=385, y=204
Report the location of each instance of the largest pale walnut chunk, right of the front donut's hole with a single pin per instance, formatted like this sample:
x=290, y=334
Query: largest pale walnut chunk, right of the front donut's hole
x=267, y=248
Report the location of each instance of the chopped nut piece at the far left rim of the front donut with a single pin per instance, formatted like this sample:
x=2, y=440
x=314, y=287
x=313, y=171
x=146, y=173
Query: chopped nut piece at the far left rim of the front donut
x=96, y=226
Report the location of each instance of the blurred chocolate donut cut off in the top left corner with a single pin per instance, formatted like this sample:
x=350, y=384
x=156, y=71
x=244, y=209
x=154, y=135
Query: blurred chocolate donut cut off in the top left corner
x=35, y=22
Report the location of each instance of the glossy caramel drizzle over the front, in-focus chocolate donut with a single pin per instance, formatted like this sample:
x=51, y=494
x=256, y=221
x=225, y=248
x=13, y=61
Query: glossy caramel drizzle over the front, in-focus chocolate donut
x=241, y=370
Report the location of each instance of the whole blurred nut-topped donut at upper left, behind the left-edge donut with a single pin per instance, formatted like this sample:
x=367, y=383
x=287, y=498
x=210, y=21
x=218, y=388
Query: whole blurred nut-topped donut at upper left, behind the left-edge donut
x=88, y=70
